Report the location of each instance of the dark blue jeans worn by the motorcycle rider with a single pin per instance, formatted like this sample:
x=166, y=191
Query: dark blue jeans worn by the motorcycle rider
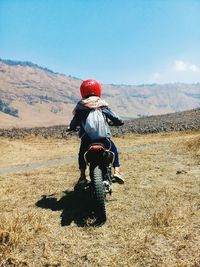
x=85, y=142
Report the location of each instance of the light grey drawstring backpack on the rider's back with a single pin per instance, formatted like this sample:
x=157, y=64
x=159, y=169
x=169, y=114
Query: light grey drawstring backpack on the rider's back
x=96, y=125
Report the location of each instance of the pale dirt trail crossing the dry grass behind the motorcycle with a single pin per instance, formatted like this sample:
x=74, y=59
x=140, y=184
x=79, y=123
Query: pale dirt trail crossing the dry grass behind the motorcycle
x=59, y=162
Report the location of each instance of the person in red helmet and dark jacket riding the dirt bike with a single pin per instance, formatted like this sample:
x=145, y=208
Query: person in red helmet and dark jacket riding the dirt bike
x=91, y=99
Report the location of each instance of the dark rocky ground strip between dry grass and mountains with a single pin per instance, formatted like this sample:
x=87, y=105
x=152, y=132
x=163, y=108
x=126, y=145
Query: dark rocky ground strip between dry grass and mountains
x=180, y=121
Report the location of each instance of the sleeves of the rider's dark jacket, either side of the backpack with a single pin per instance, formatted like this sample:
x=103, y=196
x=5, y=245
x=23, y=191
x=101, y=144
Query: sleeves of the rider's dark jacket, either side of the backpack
x=82, y=113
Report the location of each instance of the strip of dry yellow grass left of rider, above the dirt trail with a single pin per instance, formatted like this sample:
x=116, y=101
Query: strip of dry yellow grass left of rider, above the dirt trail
x=27, y=150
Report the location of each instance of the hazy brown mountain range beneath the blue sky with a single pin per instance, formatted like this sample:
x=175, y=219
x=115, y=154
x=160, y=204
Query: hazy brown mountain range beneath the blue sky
x=31, y=95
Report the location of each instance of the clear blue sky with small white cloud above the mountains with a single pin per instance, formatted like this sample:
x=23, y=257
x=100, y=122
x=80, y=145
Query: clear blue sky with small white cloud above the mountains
x=113, y=41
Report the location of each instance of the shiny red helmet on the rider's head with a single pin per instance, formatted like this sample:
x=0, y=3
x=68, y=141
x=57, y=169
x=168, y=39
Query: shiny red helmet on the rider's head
x=90, y=87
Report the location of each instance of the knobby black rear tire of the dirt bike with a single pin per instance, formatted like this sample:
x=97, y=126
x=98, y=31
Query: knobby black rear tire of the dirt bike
x=99, y=193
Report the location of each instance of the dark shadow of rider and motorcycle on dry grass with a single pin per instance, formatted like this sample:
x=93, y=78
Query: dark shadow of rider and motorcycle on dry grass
x=77, y=206
